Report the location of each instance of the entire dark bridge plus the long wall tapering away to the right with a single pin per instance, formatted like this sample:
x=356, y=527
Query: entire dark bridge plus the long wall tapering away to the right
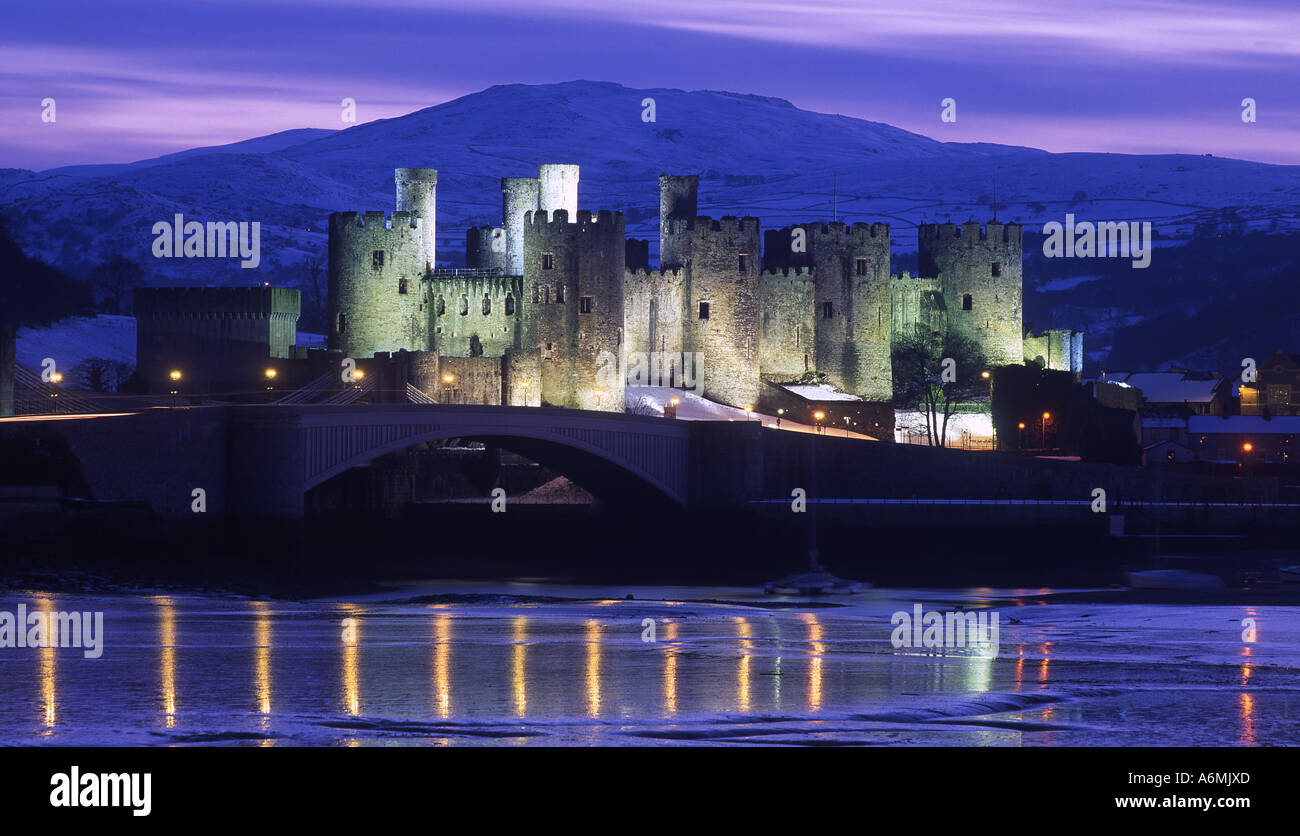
x=261, y=461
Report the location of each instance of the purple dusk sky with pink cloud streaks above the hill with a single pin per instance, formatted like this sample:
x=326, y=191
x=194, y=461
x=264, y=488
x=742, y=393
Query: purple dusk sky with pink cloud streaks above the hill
x=136, y=80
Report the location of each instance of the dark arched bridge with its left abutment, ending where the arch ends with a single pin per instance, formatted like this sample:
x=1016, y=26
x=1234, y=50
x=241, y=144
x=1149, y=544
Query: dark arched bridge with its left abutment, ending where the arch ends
x=263, y=460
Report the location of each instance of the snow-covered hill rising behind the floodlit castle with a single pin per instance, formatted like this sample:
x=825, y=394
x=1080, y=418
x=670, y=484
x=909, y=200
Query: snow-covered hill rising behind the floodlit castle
x=757, y=157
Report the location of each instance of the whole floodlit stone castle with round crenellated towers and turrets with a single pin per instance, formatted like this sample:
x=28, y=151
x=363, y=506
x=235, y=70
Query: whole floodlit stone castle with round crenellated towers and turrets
x=557, y=300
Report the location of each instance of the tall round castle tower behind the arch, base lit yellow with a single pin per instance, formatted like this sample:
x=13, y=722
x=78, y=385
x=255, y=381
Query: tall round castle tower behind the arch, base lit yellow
x=574, y=275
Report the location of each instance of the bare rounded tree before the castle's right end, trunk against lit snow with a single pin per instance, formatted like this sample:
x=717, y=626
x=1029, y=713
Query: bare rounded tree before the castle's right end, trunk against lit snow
x=935, y=372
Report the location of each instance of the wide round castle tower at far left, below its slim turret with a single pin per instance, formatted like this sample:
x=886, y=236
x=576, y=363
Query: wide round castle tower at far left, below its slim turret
x=376, y=271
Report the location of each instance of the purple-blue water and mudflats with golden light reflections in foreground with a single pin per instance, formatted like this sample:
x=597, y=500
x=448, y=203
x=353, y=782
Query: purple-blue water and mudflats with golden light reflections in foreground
x=547, y=665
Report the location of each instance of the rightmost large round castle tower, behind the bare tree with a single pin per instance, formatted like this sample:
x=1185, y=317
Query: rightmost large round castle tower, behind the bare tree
x=981, y=274
